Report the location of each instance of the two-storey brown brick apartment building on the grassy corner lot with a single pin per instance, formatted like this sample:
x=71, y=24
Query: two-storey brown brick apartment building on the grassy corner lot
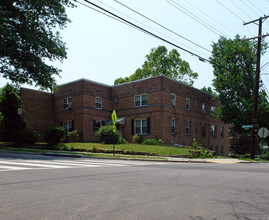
x=156, y=107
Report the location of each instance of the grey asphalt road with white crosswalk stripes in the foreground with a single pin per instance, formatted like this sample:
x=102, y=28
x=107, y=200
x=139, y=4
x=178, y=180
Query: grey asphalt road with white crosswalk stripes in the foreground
x=41, y=187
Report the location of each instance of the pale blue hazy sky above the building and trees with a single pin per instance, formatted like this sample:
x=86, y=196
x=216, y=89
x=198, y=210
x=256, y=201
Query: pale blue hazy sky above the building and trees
x=103, y=49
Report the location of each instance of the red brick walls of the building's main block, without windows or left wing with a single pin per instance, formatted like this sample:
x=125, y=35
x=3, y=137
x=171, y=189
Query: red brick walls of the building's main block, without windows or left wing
x=159, y=109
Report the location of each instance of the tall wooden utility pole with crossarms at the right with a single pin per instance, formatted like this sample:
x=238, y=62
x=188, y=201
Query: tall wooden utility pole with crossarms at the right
x=256, y=88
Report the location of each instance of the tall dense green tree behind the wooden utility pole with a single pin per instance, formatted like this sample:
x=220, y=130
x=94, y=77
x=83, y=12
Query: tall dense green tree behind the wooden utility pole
x=234, y=64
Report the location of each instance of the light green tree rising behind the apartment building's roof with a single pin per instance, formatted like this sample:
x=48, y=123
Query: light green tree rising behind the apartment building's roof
x=160, y=62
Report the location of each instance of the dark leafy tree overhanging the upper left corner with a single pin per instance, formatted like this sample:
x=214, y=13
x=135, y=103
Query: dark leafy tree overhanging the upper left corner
x=28, y=40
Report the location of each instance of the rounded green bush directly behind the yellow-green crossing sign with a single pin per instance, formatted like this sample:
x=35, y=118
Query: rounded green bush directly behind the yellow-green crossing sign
x=106, y=135
